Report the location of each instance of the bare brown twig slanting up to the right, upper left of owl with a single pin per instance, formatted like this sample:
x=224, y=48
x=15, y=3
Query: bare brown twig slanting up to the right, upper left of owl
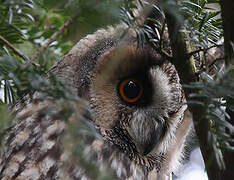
x=52, y=39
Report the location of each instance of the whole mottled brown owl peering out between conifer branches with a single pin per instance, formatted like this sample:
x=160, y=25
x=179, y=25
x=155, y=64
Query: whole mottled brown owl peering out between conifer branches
x=136, y=106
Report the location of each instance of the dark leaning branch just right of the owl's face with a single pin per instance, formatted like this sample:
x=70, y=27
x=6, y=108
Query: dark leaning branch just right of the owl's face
x=186, y=70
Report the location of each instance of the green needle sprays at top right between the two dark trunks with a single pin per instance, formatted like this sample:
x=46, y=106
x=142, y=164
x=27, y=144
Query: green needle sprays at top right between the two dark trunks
x=203, y=23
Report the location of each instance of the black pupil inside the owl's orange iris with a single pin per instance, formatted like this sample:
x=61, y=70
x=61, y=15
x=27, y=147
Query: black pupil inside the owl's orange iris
x=131, y=90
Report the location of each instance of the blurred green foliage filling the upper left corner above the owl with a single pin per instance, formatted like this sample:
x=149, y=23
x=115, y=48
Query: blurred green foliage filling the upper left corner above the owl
x=30, y=23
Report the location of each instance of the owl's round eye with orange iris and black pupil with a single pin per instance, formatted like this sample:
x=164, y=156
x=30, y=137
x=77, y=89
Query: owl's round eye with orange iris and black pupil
x=130, y=90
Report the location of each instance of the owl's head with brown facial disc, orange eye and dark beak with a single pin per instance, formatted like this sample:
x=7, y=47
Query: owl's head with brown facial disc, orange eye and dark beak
x=134, y=93
